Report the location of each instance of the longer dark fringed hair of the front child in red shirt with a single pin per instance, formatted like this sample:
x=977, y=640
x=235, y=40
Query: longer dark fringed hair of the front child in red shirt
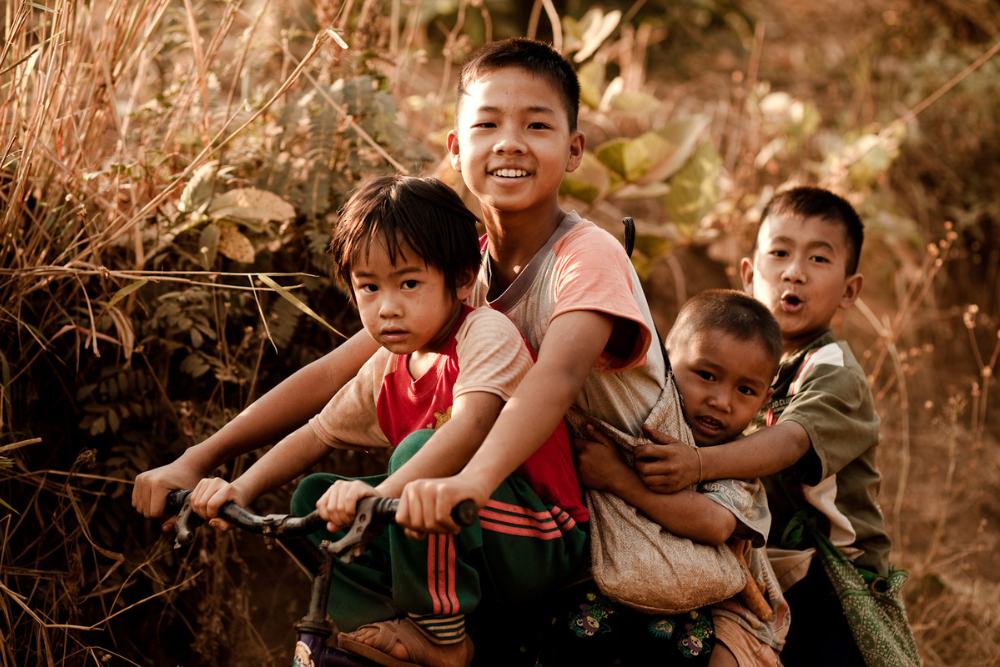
x=420, y=213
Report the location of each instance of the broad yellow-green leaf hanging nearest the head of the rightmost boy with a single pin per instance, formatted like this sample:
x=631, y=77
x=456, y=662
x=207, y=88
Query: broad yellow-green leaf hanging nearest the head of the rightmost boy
x=694, y=190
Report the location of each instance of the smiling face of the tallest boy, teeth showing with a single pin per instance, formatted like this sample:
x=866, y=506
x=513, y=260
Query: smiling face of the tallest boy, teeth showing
x=512, y=142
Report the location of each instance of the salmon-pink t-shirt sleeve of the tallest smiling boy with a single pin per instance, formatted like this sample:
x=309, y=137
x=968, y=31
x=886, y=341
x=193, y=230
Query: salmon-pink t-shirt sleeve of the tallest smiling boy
x=594, y=273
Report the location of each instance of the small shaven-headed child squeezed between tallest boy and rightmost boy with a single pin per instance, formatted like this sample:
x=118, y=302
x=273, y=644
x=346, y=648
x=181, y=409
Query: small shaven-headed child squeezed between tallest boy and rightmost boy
x=724, y=348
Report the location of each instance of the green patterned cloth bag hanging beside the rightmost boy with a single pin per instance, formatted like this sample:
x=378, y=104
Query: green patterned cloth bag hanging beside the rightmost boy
x=874, y=609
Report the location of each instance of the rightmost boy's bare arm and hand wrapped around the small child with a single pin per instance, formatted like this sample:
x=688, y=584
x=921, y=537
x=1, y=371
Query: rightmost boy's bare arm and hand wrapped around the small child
x=671, y=466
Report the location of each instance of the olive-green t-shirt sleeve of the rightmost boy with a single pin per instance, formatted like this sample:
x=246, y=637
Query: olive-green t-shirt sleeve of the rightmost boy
x=834, y=405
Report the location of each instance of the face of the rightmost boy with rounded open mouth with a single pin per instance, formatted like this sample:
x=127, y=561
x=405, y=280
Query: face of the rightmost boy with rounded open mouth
x=799, y=271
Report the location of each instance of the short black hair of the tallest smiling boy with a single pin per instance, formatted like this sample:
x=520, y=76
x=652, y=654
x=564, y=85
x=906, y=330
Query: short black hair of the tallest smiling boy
x=532, y=56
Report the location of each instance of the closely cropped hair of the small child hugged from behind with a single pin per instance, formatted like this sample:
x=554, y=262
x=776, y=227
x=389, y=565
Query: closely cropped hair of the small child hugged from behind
x=730, y=312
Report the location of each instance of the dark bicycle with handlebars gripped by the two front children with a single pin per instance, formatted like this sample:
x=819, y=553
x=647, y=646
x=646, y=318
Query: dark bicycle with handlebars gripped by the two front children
x=314, y=629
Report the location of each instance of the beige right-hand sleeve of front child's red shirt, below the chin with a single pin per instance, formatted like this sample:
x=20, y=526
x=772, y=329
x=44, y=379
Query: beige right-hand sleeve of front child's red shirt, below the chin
x=492, y=355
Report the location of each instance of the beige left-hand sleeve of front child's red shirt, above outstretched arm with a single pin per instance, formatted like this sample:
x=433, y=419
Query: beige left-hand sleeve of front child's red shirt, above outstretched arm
x=349, y=420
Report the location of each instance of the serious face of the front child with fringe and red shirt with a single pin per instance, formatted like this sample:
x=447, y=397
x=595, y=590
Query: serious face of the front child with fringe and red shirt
x=406, y=306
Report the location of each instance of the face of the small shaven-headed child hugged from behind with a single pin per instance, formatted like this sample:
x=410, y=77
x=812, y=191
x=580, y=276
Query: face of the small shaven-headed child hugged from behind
x=723, y=380
